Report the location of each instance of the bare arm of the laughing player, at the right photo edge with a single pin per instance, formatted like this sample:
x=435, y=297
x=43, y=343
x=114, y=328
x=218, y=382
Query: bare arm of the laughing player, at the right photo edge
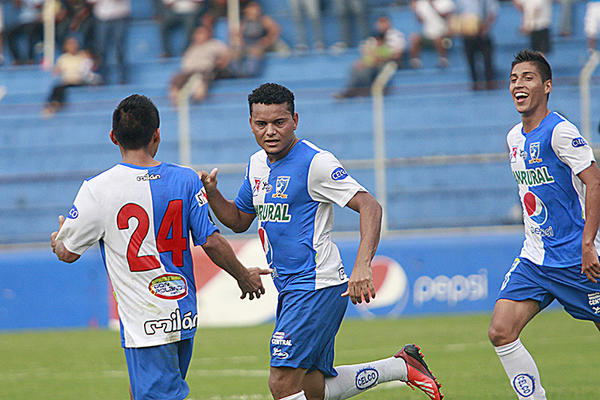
x=589, y=256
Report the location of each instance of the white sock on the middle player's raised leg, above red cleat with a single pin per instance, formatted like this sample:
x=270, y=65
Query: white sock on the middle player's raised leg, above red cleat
x=355, y=379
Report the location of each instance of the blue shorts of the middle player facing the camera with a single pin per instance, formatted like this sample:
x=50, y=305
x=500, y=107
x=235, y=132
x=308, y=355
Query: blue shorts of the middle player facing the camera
x=305, y=328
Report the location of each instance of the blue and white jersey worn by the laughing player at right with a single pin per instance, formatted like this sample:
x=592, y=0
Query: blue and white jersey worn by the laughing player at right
x=545, y=163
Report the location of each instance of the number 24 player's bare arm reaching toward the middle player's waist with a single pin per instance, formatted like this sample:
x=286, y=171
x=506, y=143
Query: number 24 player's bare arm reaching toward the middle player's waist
x=220, y=252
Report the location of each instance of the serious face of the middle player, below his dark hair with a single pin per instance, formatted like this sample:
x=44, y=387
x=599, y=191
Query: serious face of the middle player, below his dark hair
x=273, y=126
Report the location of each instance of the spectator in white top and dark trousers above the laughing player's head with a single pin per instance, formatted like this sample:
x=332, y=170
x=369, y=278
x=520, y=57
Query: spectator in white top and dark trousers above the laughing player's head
x=536, y=20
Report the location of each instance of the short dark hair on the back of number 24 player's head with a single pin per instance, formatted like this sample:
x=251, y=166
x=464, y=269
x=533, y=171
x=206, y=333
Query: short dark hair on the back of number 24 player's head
x=134, y=121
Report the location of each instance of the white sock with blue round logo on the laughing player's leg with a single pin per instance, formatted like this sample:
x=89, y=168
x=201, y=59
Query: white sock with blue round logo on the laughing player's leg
x=521, y=370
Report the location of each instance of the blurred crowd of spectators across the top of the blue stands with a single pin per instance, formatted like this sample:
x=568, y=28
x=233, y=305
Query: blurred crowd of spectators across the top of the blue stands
x=100, y=28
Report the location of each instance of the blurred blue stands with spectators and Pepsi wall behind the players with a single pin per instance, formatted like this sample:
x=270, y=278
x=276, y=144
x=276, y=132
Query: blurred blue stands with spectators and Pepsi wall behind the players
x=427, y=137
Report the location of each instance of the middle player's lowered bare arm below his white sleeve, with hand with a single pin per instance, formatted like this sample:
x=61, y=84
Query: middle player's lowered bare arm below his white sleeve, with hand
x=361, y=281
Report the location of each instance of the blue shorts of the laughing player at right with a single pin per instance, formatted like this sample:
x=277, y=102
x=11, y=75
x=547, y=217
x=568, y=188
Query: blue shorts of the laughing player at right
x=528, y=281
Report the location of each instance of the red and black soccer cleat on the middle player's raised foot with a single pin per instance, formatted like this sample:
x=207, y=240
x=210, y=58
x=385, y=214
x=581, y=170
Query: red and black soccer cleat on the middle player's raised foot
x=418, y=374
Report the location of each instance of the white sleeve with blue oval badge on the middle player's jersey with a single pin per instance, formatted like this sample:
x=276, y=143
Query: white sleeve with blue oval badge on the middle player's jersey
x=328, y=181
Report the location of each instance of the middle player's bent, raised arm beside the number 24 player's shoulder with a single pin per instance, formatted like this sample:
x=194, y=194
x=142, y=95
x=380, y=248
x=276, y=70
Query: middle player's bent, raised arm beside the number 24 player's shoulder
x=225, y=210
